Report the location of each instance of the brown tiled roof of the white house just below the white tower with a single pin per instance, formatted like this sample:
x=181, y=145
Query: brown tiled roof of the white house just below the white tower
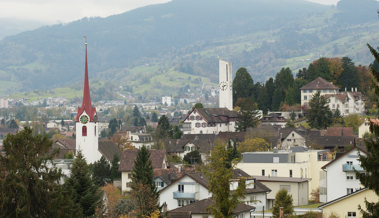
x=215, y=115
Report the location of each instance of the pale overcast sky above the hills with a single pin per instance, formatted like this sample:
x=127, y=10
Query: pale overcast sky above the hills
x=63, y=11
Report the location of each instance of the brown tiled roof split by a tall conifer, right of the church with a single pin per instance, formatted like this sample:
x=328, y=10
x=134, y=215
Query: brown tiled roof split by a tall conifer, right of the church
x=128, y=156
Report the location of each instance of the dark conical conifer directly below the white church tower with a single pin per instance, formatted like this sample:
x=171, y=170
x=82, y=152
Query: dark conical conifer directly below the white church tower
x=85, y=193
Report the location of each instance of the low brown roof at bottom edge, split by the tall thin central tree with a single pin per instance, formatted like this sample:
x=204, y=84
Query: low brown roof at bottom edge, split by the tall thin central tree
x=200, y=207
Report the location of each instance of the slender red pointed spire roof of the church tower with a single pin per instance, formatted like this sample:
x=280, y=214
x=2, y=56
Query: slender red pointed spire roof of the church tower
x=86, y=104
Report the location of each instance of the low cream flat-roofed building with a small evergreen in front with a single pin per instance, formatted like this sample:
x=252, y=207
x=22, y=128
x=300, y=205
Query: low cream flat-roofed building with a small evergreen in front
x=297, y=187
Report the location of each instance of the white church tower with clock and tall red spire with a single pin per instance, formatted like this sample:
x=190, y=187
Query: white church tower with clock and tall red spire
x=86, y=123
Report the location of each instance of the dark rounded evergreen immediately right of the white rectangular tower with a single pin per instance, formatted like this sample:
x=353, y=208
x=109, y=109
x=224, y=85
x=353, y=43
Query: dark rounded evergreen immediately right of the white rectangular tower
x=243, y=85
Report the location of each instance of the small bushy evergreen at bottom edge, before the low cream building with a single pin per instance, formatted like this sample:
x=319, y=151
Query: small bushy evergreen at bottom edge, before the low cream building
x=283, y=199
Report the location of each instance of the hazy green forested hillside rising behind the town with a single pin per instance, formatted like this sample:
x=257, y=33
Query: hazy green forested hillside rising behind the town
x=185, y=38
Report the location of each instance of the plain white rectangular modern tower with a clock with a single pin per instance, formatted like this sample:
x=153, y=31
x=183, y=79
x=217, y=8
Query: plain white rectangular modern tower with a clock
x=226, y=81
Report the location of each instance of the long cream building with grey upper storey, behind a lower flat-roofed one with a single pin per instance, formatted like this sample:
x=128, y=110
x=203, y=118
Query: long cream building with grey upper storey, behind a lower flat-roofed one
x=299, y=162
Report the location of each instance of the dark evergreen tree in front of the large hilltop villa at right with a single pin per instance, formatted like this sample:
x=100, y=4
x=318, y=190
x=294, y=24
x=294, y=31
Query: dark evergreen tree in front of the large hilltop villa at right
x=319, y=114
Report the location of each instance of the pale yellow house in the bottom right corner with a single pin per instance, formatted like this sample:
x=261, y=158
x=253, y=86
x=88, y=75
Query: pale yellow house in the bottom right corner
x=347, y=205
